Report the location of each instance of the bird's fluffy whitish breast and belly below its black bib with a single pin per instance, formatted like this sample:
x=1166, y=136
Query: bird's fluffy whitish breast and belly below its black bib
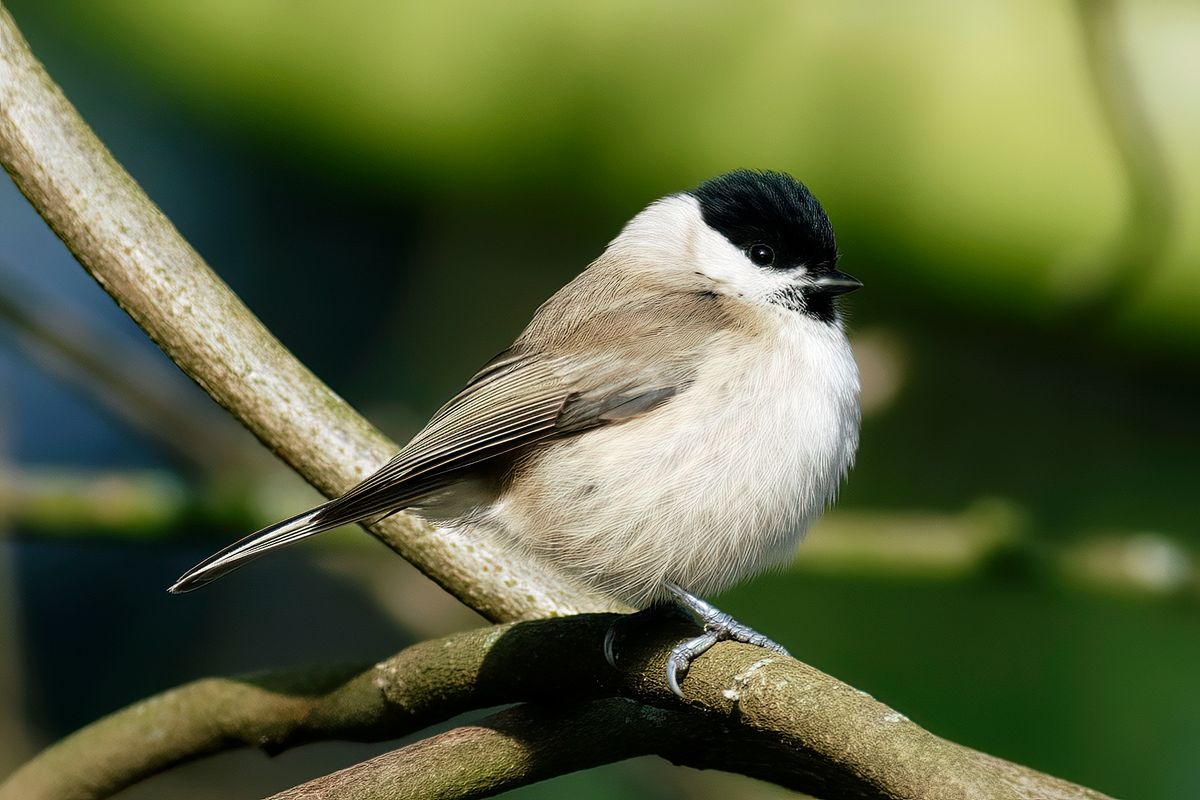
x=718, y=484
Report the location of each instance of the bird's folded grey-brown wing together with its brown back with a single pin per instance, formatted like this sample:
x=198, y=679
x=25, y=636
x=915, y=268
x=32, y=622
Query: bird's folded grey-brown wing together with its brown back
x=591, y=357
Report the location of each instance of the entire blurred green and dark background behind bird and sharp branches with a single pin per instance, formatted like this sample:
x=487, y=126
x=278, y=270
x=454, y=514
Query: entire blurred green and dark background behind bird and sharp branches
x=395, y=187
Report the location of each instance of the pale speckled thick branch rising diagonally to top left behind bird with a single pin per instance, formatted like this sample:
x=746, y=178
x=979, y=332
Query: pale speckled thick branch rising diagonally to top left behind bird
x=127, y=244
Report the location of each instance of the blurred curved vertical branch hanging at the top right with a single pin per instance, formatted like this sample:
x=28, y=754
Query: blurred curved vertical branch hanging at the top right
x=1141, y=245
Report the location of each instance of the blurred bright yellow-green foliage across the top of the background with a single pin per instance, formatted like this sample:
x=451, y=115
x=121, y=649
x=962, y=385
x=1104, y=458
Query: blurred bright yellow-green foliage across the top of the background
x=965, y=137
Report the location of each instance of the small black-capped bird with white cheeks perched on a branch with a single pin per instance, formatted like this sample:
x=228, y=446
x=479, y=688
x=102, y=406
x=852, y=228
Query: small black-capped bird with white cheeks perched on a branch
x=669, y=424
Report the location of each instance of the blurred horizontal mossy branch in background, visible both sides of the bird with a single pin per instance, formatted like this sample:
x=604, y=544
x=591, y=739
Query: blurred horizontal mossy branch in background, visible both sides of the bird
x=920, y=546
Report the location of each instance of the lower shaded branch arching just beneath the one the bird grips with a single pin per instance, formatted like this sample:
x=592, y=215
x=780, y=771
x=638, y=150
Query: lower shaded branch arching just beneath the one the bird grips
x=536, y=743
